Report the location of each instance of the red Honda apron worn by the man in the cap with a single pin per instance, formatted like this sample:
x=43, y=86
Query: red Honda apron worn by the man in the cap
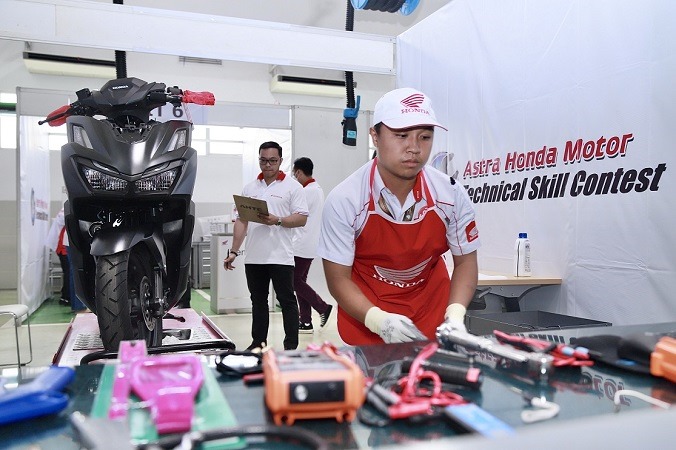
x=398, y=267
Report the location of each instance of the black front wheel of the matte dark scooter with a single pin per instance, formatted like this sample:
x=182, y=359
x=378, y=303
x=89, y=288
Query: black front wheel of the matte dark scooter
x=124, y=288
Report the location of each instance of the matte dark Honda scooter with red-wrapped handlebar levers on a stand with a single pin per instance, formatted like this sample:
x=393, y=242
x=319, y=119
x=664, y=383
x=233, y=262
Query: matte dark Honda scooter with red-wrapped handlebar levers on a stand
x=129, y=213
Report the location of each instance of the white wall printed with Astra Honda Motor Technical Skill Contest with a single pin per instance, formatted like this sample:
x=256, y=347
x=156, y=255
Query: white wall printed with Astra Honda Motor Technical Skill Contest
x=512, y=77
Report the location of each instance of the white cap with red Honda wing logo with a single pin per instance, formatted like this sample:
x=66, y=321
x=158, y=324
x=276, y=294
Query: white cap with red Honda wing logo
x=405, y=108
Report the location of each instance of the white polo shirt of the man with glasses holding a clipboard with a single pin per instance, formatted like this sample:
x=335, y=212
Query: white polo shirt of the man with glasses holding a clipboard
x=272, y=244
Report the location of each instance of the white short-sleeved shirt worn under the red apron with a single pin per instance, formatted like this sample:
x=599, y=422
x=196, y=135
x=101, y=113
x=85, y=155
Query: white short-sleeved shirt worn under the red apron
x=346, y=209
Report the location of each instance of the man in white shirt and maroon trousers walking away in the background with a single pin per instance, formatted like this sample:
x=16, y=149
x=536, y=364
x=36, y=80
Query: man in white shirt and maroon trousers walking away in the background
x=305, y=249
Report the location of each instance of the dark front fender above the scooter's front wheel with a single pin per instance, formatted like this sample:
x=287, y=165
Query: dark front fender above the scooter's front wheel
x=111, y=241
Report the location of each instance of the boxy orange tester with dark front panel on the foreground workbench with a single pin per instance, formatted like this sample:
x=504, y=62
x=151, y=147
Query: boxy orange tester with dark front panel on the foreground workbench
x=311, y=384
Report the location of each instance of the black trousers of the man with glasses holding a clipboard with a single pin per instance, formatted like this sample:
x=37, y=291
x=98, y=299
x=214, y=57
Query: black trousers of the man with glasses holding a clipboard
x=258, y=278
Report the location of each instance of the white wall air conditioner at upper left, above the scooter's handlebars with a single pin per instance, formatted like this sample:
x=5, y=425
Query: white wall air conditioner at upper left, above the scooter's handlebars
x=69, y=66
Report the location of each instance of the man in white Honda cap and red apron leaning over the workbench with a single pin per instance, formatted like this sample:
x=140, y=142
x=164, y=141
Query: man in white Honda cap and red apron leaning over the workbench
x=386, y=227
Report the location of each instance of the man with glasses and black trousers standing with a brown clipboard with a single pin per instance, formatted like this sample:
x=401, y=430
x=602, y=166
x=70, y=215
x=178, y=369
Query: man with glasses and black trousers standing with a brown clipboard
x=269, y=246
